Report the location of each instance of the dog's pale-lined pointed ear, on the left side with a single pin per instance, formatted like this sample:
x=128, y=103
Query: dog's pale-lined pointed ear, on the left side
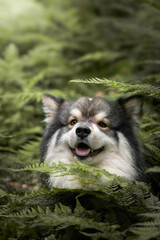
x=51, y=105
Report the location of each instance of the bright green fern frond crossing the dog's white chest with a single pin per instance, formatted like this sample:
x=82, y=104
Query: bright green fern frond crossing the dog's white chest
x=84, y=173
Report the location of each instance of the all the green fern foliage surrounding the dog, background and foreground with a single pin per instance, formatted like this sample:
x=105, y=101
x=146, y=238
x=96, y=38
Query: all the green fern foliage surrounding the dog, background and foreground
x=115, y=46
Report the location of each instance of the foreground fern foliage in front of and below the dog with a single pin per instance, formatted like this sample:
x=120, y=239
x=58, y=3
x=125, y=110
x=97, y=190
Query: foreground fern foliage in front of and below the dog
x=105, y=212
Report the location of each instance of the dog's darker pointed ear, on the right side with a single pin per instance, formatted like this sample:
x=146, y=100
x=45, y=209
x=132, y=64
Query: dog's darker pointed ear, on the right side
x=132, y=107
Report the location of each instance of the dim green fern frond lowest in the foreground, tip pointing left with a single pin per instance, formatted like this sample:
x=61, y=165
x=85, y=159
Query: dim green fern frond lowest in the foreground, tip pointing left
x=63, y=217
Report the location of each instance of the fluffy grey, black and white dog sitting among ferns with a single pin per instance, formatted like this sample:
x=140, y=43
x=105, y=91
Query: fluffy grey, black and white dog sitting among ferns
x=95, y=131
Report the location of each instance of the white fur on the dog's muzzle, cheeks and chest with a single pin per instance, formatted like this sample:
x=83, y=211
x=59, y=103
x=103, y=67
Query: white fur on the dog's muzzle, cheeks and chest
x=115, y=158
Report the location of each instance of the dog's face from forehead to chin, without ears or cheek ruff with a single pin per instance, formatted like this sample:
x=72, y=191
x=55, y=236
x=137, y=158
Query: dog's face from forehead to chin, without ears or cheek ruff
x=89, y=132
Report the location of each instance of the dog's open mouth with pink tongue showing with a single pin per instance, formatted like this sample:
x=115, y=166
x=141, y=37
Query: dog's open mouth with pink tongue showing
x=83, y=151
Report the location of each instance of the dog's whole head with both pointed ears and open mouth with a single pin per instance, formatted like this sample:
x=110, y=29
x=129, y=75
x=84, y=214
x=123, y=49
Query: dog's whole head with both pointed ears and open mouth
x=89, y=128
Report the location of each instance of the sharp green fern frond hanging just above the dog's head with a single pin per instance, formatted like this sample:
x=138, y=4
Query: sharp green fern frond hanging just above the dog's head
x=145, y=89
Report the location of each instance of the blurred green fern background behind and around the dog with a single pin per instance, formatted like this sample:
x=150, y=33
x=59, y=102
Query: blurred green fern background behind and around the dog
x=46, y=43
